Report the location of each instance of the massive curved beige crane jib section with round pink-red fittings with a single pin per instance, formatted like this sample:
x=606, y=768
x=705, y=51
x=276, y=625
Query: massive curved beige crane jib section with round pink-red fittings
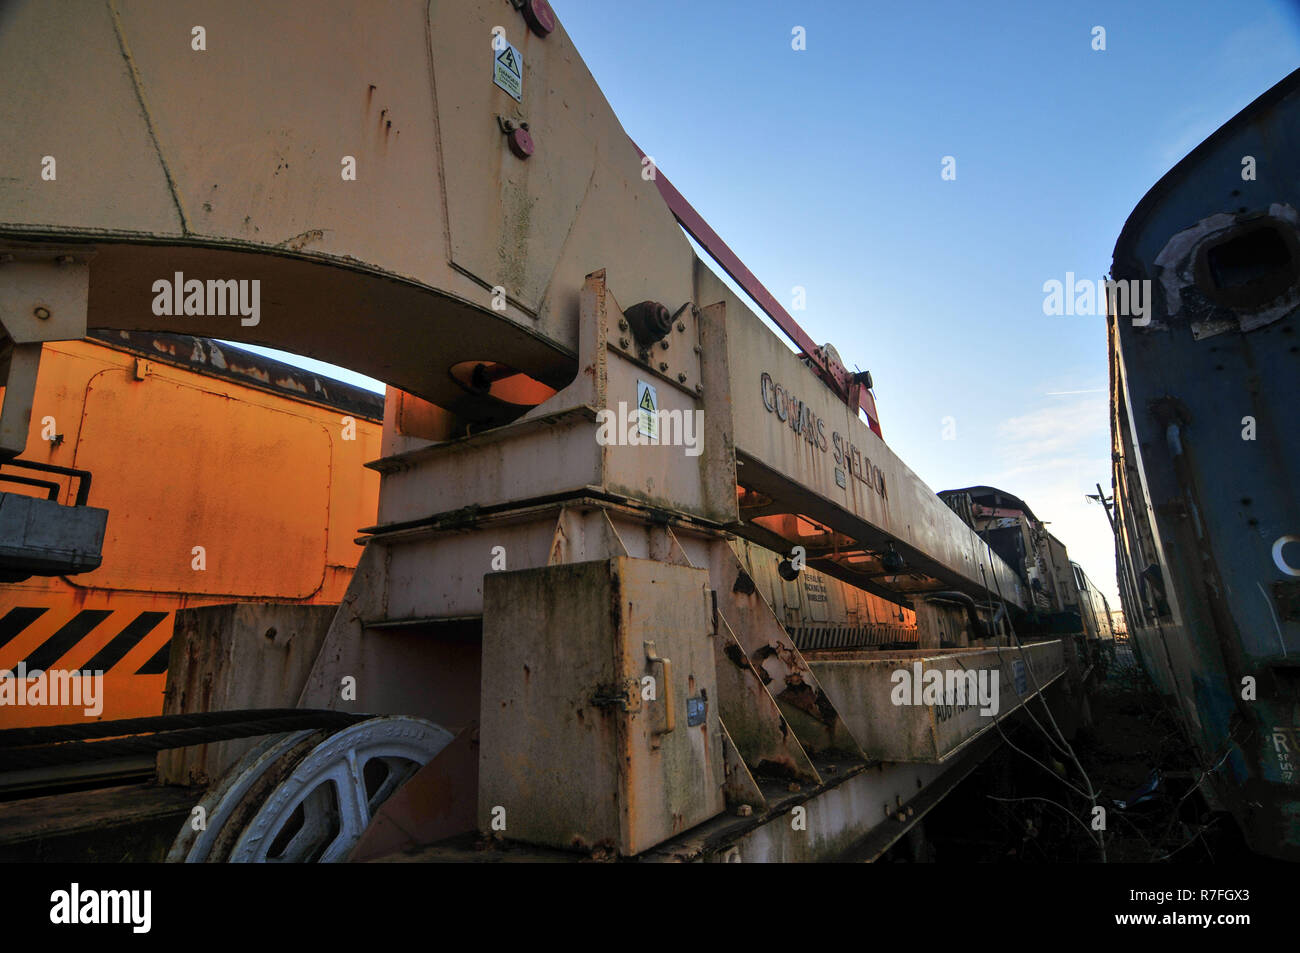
x=439, y=215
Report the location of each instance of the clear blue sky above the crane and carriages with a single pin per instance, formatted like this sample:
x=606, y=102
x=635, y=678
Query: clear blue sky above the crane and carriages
x=822, y=168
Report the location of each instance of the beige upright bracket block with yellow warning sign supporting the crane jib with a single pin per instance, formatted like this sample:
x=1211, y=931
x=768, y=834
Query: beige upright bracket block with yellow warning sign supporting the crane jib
x=557, y=448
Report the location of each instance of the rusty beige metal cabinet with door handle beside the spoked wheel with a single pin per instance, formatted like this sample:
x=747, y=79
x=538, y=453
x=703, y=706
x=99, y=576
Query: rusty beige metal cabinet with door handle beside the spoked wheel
x=569, y=703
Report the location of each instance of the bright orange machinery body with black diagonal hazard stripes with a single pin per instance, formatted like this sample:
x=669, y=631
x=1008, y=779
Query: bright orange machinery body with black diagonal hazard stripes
x=228, y=478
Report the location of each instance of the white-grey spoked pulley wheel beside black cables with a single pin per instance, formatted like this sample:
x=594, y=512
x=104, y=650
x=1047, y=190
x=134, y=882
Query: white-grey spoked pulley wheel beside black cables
x=306, y=796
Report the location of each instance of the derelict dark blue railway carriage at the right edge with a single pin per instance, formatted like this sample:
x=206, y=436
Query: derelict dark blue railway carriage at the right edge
x=1207, y=466
